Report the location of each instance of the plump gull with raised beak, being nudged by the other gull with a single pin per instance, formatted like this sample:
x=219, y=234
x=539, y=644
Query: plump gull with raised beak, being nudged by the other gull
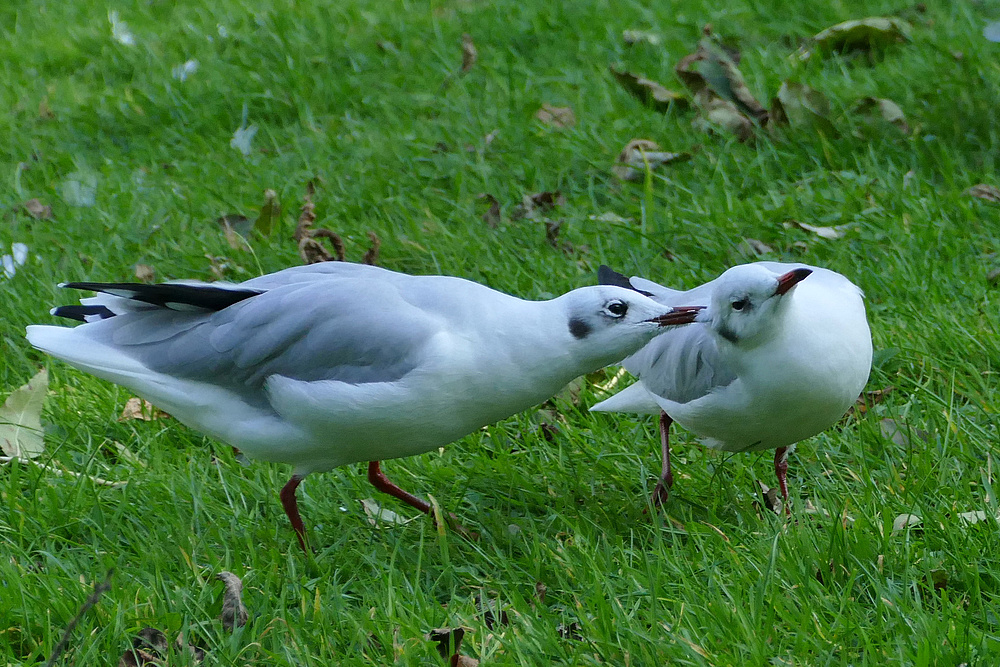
x=779, y=353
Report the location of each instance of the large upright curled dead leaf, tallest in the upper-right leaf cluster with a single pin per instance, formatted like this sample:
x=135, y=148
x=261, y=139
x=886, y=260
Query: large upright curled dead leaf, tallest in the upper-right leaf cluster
x=711, y=69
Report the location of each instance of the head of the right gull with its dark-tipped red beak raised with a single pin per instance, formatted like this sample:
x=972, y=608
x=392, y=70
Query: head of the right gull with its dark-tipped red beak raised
x=749, y=302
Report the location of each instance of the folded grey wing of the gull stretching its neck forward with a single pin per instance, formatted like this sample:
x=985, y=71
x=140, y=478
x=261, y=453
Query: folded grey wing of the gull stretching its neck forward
x=352, y=329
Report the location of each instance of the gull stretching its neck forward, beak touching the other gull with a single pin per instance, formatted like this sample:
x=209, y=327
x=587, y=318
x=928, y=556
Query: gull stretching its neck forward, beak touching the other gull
x=333, y=363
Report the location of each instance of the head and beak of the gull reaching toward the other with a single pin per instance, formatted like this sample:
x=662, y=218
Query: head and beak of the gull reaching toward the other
x=607, y=323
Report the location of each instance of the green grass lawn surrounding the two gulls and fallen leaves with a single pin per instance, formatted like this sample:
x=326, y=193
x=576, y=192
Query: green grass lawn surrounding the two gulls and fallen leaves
x=712, y=581
